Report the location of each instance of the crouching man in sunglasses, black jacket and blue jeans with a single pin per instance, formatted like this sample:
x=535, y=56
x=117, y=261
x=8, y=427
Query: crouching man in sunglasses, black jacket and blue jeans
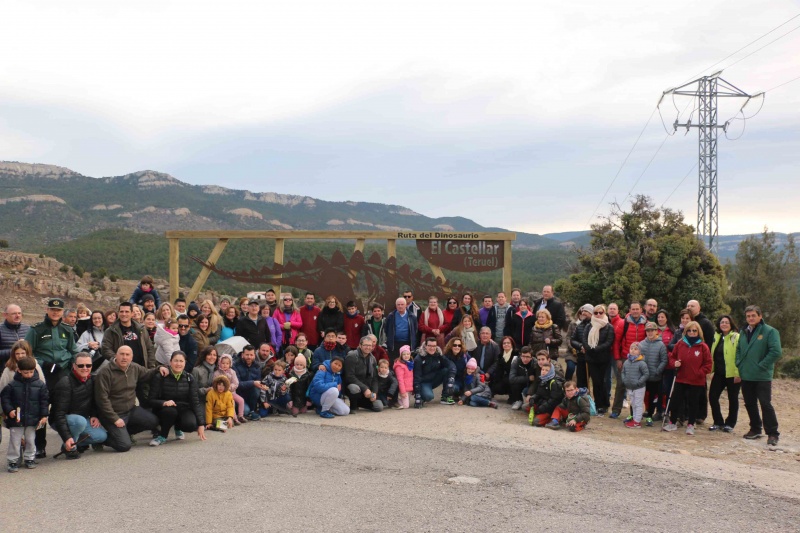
x=74, y=415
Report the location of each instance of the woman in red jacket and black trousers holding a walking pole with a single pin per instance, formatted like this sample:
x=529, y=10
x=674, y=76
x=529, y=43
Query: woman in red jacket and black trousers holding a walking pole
x=692, y=360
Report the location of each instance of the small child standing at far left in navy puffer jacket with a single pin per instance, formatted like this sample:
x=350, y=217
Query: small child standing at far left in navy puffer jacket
x=25, y=405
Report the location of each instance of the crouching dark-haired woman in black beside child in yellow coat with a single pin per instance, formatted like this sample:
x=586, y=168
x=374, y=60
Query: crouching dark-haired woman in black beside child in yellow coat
x=175, y=401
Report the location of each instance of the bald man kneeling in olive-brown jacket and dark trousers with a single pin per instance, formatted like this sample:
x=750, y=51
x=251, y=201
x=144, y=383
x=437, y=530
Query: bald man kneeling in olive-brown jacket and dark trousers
x=115, y=397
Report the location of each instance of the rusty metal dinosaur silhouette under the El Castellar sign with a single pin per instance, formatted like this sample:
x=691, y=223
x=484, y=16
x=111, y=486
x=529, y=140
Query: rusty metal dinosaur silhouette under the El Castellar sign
x=378, y=280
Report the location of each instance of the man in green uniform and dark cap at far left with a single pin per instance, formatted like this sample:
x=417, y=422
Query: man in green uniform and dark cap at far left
x=53, y=345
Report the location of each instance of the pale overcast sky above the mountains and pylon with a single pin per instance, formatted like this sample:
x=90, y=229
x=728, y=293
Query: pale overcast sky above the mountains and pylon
x=514, y=114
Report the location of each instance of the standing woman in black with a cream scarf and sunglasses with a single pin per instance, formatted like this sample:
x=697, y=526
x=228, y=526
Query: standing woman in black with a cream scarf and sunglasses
x=598, y=342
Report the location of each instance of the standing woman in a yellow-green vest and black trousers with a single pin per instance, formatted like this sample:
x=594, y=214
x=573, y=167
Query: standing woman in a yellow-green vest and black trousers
x=726, y=374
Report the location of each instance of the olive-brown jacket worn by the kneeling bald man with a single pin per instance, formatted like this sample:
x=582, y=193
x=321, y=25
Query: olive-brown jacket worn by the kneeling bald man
x=115, y=389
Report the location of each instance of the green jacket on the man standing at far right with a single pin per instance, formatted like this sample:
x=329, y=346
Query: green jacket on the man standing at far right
x=757, y=352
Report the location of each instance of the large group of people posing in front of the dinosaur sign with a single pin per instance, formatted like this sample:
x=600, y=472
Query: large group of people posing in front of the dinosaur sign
x=99, y=378
